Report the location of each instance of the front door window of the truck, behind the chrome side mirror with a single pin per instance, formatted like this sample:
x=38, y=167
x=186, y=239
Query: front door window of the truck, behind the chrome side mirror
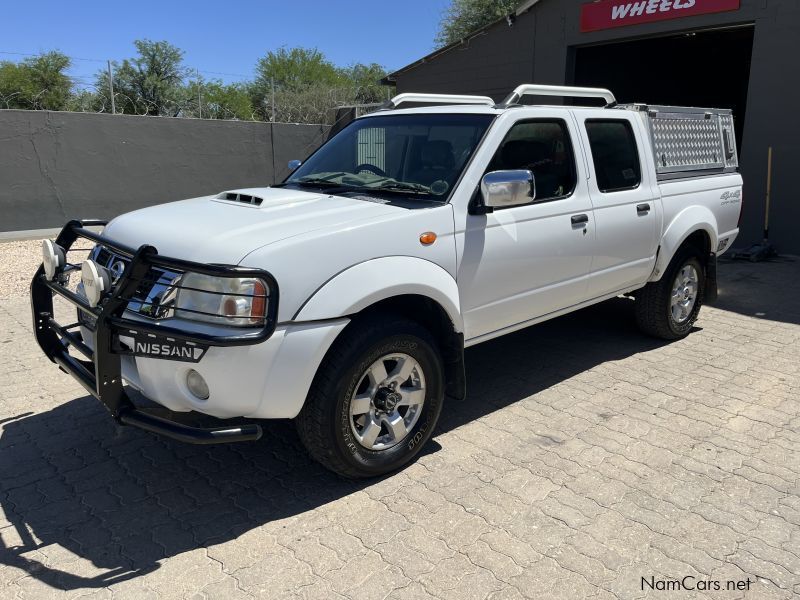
x=542, y=146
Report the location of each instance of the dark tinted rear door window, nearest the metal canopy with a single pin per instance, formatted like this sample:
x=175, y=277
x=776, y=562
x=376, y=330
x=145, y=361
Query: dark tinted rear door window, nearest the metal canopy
x=615, y=155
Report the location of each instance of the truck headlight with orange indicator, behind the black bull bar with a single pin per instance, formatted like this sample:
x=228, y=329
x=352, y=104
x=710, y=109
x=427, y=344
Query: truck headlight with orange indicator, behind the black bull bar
x=239, y=301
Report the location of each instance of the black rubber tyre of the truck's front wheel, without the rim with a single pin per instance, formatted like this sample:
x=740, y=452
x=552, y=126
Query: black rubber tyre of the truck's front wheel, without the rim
x=324, y=422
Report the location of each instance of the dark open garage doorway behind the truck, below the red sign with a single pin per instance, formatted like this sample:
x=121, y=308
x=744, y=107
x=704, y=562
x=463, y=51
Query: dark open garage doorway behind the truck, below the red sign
x=710, y=69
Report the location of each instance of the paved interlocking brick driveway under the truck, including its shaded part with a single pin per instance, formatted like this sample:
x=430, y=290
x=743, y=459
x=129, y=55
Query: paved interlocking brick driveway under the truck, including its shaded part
x=586, y=458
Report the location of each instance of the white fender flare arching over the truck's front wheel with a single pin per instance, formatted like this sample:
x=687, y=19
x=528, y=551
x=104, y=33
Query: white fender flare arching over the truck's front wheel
x=362, y=285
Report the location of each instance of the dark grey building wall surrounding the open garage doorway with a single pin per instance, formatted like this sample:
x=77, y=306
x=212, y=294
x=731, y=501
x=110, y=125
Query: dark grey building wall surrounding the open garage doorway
x=539, y=48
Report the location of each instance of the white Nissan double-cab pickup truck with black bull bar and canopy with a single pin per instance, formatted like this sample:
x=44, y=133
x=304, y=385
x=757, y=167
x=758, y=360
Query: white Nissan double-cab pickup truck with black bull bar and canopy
x=344, y=297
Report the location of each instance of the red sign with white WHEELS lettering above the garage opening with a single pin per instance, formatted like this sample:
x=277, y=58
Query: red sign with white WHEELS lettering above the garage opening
x=606, y=14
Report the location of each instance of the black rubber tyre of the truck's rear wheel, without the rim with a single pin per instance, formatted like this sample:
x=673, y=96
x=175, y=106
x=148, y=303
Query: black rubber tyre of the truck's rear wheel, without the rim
x=653, y=310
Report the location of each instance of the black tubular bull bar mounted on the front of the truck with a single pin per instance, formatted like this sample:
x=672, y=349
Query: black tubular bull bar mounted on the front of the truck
x=100, y=371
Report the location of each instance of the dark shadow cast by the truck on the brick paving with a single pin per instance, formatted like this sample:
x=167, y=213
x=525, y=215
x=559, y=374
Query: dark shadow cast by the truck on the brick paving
x=124, y=499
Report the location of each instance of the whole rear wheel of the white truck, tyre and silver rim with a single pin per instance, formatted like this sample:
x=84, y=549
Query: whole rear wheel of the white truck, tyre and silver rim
x=669, y=307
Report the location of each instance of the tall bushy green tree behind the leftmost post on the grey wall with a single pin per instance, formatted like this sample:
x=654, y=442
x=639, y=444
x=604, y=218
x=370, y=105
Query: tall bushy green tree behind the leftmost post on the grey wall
x=149, y=84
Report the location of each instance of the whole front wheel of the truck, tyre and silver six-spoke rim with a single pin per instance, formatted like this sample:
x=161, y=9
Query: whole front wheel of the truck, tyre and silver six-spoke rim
x=376, y=398
